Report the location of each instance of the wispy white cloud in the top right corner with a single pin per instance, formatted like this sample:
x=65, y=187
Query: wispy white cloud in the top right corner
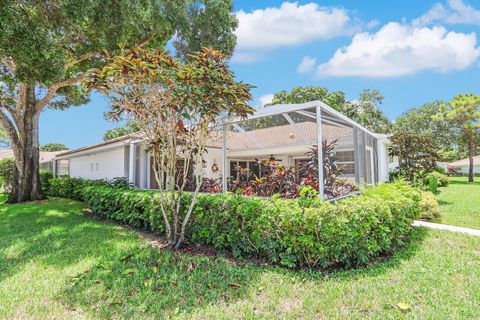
x=456, y=12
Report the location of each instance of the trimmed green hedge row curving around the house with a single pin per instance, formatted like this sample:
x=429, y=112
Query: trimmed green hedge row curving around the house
x=293, y=233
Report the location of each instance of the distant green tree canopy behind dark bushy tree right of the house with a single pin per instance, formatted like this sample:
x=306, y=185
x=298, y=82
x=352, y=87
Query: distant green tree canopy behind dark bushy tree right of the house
x=423, y=122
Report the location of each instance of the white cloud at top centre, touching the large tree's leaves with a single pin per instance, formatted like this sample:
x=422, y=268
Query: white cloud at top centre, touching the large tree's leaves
x=288, y=25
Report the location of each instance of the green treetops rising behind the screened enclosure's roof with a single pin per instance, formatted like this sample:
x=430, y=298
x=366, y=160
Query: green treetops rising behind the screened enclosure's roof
x=365, y=111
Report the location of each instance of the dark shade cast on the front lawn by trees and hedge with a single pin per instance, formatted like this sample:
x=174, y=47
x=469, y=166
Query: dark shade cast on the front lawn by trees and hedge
x=130, y=279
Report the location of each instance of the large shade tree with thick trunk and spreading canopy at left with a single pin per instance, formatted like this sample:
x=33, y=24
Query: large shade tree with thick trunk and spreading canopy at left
x=46, y=47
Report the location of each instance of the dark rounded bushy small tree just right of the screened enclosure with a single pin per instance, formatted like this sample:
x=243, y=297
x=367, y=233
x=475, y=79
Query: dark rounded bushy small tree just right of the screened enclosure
x=417, y=155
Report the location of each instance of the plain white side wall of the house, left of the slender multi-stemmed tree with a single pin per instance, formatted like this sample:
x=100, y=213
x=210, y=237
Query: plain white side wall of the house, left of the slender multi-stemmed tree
x=103, y=165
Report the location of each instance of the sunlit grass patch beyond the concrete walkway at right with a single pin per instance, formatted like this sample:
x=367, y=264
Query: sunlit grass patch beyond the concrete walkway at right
x=460, y=203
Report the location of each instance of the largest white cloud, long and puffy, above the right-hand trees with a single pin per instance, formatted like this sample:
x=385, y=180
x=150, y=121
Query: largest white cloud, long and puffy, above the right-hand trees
x=400, y=49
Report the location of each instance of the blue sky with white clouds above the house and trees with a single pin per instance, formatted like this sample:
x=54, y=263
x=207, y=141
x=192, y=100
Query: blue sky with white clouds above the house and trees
x=412, y=51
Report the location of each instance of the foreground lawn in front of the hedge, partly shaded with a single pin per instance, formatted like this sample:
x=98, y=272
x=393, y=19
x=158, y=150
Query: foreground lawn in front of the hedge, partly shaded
x=57, y=263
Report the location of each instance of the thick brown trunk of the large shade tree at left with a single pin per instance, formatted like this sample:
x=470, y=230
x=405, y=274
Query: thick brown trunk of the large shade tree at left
x=26, y=184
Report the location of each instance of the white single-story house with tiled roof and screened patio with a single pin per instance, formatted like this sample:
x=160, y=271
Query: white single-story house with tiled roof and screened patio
x=285, y=133
